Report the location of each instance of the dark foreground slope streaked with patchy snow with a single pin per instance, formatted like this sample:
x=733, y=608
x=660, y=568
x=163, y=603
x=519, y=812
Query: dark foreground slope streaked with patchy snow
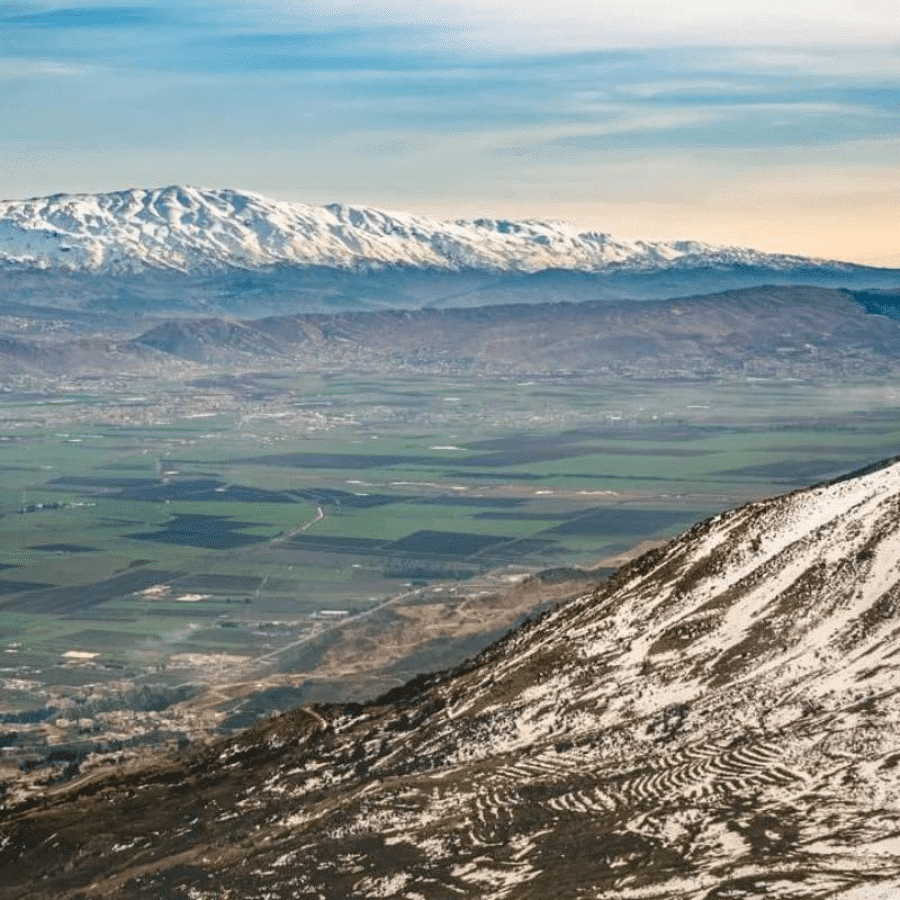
x=719, y=720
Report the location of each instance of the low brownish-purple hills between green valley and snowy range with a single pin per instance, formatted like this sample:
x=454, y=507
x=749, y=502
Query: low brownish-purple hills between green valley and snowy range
x=758, y=332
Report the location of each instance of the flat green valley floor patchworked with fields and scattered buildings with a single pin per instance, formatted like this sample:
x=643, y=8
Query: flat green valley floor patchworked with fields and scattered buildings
x=166, y=538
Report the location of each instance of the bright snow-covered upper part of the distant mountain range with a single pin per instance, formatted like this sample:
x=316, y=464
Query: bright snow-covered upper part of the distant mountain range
x=188, y=229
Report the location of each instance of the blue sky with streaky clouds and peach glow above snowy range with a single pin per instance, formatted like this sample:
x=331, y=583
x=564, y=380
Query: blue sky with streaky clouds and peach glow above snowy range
x=737, y=122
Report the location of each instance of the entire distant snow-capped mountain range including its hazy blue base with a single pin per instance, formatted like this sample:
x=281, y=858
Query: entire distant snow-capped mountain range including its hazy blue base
x=223, y=250
